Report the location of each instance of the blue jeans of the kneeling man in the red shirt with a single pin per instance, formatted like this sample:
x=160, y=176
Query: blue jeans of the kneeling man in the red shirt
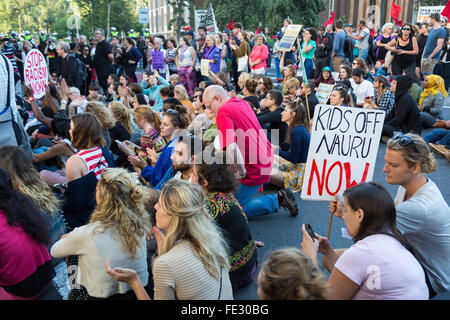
x=258, y=206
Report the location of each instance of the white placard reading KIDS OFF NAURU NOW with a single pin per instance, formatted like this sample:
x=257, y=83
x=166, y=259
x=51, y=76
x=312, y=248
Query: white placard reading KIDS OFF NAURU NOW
x=342, y=150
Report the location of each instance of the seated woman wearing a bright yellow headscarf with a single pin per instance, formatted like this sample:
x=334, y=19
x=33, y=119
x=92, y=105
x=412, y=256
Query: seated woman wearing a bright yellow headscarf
x=431, y=100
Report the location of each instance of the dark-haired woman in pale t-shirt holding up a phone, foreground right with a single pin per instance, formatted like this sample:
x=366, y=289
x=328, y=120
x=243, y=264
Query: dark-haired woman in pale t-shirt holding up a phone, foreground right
x=370, y=217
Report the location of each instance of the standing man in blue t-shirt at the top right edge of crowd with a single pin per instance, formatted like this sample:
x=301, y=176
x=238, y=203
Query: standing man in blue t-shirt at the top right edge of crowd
x=433, y=46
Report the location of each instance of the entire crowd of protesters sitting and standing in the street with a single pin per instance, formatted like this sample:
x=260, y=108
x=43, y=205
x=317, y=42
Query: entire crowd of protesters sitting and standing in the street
x=110, y=171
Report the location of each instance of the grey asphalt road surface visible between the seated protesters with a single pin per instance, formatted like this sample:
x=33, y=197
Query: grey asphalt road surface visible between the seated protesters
x=279, y=230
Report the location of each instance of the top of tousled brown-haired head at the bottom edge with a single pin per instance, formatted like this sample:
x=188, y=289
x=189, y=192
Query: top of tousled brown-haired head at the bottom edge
x=289, y=274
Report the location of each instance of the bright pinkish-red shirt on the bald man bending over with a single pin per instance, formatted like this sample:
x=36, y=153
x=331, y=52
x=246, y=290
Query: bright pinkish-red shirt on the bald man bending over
x=237, y=123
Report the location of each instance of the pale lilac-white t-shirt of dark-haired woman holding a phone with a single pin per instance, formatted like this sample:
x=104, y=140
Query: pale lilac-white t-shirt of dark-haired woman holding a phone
x=384, y=269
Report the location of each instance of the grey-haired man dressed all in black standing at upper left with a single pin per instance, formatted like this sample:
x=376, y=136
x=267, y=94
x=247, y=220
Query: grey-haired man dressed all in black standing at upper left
x=103, y=58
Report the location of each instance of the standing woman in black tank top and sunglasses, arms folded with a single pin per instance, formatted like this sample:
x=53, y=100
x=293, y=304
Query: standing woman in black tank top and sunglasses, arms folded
x=405, y=48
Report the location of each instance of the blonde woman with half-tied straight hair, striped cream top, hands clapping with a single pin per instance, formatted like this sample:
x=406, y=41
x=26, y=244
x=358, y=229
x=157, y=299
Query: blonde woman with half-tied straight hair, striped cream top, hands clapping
x=192, y=262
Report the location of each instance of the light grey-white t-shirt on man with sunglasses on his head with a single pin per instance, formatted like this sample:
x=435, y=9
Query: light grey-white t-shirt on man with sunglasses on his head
x=424, y=220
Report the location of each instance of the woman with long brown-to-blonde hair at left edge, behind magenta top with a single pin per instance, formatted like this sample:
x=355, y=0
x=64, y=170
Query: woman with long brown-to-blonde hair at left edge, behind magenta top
x=27, y=181
